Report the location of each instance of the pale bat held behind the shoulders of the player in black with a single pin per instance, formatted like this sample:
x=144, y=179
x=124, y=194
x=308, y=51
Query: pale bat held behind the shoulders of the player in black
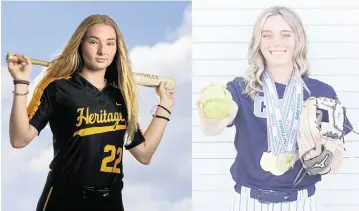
x=142, y=79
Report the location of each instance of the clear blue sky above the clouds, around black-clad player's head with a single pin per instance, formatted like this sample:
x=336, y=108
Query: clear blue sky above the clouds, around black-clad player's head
x=40, y=28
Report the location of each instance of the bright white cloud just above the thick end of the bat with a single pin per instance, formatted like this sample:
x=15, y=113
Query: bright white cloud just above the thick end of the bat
x=168, y=59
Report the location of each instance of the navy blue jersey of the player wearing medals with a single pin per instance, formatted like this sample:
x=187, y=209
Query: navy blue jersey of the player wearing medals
x=251, y=137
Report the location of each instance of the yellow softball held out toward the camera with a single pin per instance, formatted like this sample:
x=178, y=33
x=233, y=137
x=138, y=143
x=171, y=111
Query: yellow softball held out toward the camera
x=215, y=101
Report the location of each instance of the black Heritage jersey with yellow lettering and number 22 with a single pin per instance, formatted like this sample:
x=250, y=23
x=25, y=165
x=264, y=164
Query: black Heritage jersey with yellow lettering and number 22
x=88, y=127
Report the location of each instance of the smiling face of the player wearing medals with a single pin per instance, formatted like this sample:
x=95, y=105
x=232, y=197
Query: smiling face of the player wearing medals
x=277, y=42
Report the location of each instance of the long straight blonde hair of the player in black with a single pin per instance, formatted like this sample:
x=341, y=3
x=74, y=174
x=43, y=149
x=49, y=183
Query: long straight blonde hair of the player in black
x=70, y=60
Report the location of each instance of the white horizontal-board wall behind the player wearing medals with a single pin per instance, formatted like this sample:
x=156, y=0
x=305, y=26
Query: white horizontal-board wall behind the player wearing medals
x=221, y=31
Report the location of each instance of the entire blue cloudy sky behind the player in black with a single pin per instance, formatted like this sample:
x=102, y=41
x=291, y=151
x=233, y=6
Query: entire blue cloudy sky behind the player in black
x=157, y=35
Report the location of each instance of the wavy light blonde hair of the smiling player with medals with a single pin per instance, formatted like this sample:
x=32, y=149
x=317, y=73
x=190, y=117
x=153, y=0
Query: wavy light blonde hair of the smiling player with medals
x=256, y=60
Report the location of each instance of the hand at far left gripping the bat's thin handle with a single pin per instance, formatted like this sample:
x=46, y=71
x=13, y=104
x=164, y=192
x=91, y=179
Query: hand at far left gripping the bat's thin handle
x=20, y=67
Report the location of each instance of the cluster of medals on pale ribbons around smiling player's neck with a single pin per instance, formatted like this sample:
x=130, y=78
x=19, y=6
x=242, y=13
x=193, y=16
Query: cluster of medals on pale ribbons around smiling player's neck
x=282, y=123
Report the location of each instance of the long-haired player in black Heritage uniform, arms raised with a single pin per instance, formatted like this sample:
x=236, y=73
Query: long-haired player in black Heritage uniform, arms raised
x=88, y=97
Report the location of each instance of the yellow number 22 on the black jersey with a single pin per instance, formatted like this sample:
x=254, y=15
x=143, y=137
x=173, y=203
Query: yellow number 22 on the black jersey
x=115, y=154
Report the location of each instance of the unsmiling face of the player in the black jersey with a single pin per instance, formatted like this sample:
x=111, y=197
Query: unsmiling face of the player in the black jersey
x=99, y=47
